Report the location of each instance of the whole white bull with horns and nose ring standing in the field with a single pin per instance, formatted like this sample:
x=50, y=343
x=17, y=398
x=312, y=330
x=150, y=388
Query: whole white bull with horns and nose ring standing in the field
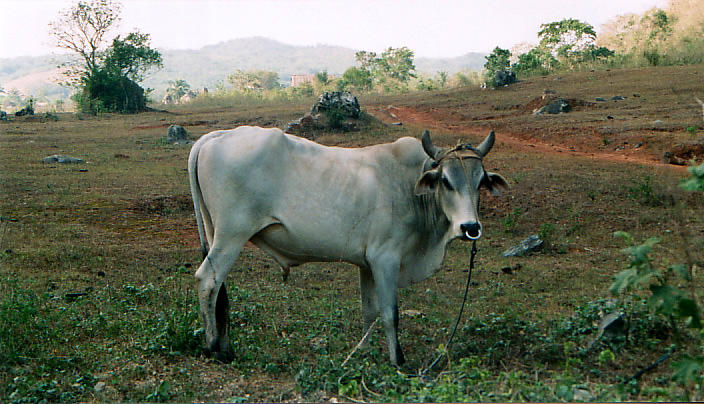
x=390, y=209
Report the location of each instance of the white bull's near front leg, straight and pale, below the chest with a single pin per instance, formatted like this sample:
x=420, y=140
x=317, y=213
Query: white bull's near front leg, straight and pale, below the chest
x=386, y=282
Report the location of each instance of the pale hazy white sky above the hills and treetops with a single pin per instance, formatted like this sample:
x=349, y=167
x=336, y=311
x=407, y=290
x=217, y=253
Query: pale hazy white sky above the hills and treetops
x=430, y=28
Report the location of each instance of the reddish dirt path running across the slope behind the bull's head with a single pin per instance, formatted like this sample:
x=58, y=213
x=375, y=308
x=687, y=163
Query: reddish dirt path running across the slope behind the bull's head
x=429, y=120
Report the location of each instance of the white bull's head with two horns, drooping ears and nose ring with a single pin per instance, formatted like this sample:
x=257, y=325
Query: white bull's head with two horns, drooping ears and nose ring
x=455, y=176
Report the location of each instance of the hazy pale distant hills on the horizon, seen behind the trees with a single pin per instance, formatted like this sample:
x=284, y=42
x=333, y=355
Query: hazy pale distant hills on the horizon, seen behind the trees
x=207, y=66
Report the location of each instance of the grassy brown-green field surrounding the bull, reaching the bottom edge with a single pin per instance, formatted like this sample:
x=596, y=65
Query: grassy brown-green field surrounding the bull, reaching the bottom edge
x=97, y=297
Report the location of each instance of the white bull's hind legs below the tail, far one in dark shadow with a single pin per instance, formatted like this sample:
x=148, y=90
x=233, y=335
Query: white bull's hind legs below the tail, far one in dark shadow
x=212, y=295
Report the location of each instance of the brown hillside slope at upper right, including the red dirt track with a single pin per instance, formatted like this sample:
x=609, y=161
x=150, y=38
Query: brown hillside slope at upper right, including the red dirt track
x=657, y=108
